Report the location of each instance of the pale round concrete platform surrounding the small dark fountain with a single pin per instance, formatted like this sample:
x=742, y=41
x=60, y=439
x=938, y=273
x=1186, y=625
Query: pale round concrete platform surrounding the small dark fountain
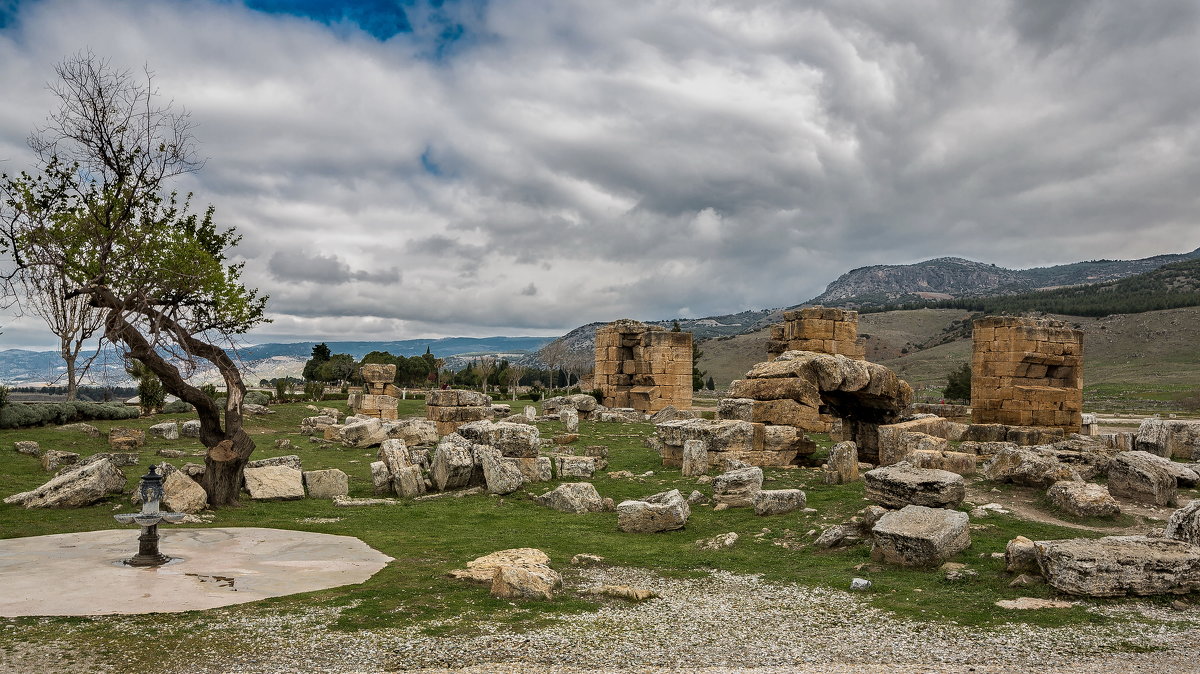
x=81, y=574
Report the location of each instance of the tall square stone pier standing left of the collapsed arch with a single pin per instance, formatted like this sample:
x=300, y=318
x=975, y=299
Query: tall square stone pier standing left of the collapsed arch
x=644, y=368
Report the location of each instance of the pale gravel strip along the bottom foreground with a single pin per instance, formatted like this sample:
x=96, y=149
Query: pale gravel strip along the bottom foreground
x=724, y=623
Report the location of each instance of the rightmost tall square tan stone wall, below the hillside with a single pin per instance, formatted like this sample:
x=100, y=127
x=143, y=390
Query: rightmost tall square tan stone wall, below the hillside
x=1028, y=372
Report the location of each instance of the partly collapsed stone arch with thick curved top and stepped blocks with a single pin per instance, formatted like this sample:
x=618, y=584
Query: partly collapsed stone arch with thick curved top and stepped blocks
x=782, y=400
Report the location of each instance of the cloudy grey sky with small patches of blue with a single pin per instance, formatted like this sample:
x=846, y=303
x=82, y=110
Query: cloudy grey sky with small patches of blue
x=406, y=170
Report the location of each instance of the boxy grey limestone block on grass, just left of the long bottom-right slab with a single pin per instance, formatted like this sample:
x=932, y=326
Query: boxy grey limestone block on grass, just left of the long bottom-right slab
x=920, y=537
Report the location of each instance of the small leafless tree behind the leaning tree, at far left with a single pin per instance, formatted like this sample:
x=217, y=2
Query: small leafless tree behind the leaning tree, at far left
x=71, y=320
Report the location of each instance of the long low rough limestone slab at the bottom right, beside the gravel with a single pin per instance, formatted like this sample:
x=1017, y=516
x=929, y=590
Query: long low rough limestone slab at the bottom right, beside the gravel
x=1120, y=565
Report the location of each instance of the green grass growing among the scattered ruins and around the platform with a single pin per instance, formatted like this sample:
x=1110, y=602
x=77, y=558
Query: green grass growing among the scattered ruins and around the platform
x=431, y=538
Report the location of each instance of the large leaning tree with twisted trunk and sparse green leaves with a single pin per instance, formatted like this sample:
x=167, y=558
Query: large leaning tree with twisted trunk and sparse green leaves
x=99, y=213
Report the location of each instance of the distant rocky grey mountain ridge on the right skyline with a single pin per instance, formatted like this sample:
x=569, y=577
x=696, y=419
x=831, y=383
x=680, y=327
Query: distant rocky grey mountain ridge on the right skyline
x=944, y=279
